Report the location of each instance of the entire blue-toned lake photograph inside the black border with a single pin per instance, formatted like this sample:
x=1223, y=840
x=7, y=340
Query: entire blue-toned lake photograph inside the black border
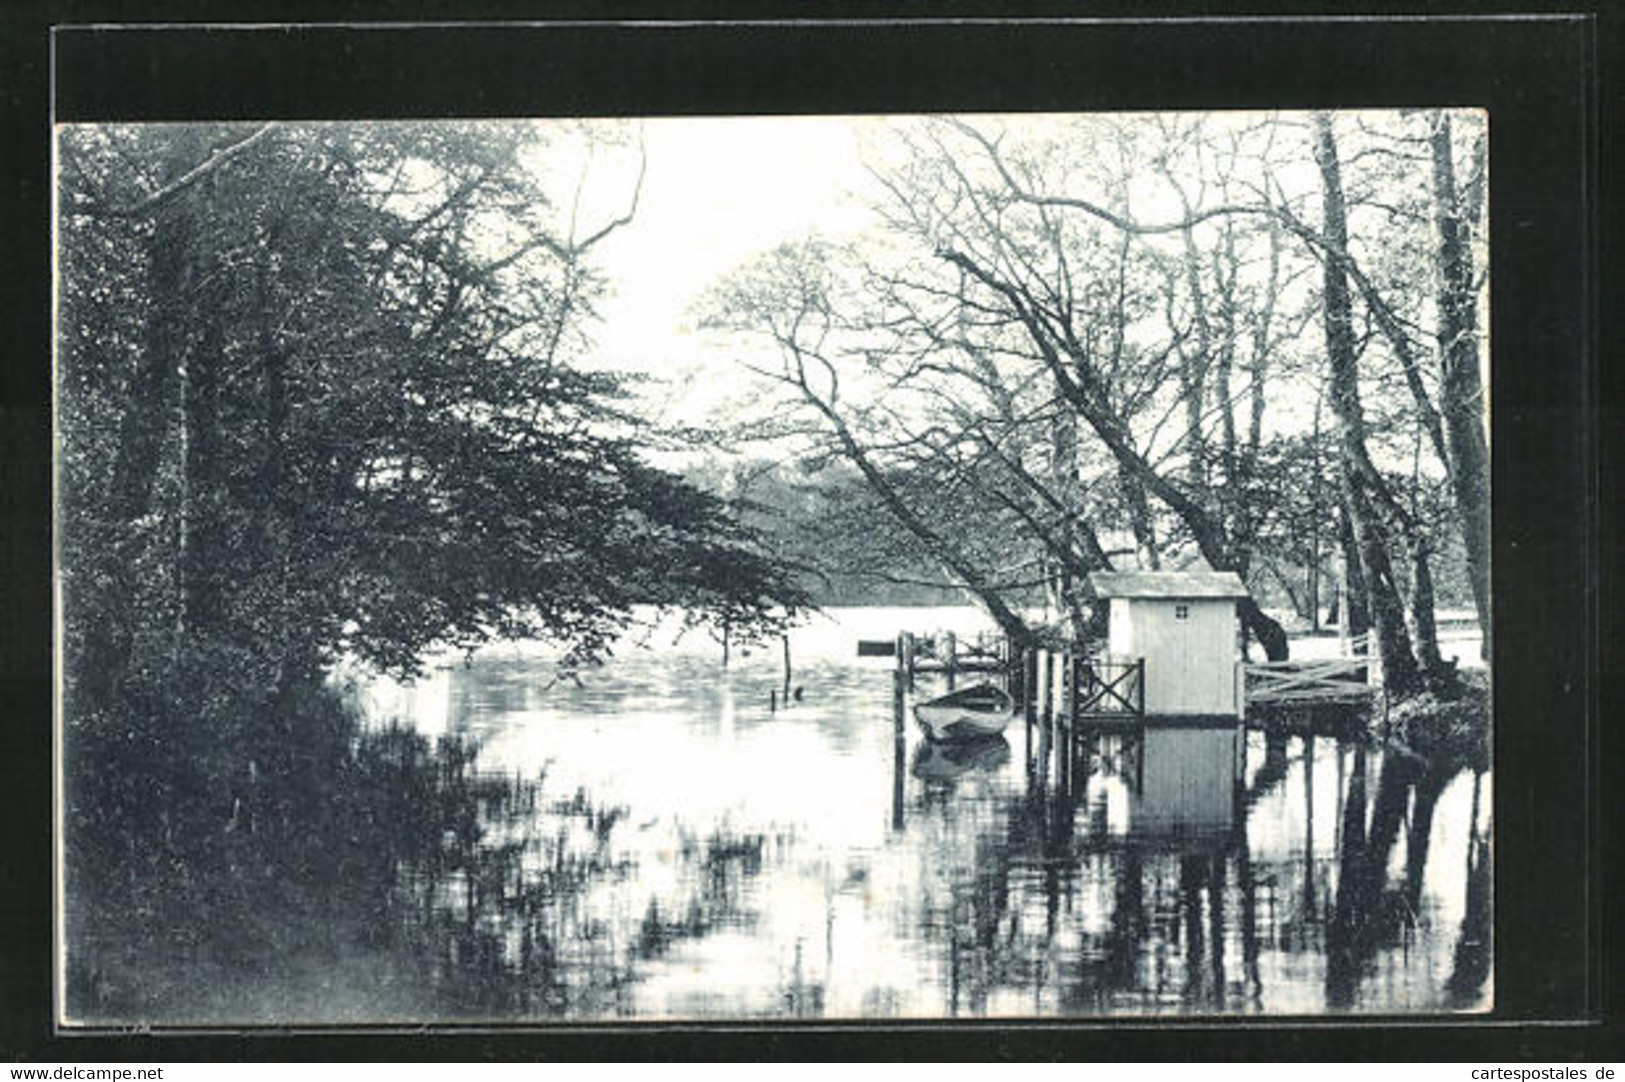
x=1020, y=566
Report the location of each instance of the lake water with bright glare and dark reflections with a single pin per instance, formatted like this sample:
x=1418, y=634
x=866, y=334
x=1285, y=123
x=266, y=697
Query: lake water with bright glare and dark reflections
x=695, y=854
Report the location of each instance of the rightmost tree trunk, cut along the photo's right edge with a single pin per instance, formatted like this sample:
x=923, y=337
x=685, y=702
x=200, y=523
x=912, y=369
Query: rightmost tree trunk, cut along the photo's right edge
x=1463, y=387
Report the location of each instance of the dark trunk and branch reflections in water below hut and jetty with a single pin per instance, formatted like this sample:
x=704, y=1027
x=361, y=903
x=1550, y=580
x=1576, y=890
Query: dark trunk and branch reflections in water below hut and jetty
x=1072, y=917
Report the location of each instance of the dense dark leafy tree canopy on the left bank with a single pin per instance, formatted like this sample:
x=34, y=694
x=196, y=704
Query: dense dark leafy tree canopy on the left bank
x=321, y=397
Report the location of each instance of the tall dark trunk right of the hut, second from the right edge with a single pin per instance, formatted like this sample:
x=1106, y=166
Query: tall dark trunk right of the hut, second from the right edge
x=1400, y=670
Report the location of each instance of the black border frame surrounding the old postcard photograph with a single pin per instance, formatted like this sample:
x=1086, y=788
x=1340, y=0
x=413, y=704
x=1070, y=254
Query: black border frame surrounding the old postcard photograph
x=1540, y=77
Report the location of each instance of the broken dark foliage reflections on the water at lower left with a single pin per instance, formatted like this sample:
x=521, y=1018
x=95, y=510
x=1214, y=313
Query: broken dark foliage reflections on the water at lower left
x=498, y=899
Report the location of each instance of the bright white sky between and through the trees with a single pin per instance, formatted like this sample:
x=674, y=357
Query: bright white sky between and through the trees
x=721, y=191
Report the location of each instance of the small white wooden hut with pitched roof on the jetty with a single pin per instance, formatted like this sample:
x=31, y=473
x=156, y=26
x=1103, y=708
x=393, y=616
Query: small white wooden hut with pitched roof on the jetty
x=1184, y=625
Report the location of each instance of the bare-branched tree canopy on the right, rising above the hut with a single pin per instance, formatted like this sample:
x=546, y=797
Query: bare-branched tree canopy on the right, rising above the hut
x=1080, y=340
